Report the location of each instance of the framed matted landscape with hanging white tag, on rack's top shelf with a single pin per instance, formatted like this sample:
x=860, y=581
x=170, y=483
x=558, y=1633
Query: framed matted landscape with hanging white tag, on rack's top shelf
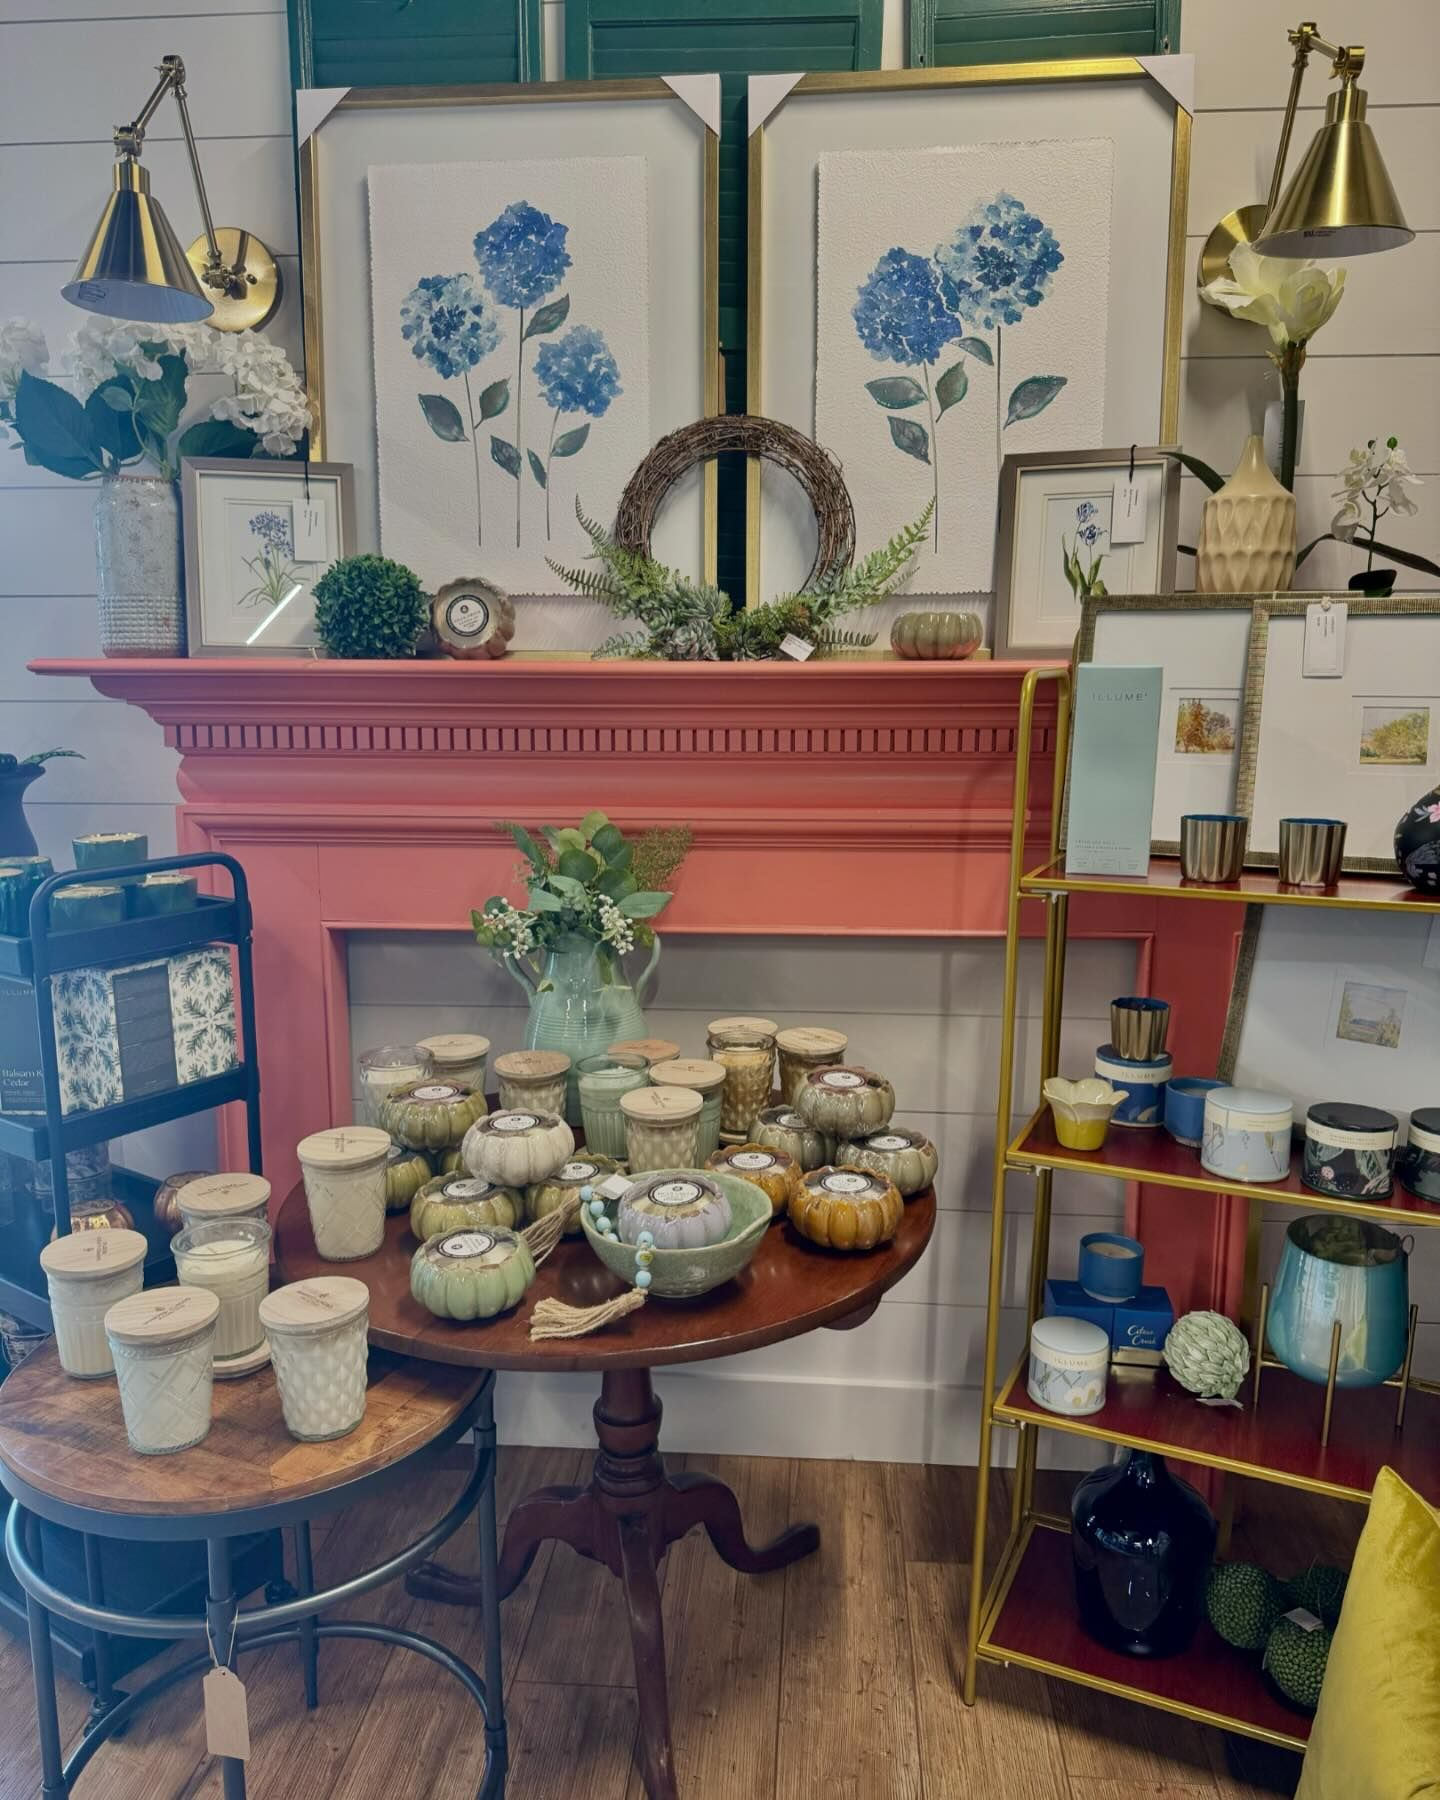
x=1360, y=746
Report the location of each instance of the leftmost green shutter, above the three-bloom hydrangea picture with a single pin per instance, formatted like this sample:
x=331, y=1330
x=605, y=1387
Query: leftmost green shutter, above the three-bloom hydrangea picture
x=382, y=44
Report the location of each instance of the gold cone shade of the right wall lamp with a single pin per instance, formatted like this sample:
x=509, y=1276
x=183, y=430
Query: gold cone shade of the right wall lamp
x=1340, y=201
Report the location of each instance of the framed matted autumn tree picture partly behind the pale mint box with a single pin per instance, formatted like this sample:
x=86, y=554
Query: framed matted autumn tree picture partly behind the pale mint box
x=1201, y=645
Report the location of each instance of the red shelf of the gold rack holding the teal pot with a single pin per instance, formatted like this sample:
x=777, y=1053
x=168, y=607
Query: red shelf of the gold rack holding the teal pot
x=1277, y=1443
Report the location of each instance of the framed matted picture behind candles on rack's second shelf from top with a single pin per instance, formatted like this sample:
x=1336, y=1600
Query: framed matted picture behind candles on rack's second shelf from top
x=1336, y=1005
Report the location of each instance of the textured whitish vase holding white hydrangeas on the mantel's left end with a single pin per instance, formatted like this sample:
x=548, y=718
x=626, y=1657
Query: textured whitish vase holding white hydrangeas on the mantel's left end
x=139, y=570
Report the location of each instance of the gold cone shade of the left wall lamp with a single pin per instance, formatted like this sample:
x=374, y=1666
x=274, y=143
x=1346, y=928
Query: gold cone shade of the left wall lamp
x=134, y=265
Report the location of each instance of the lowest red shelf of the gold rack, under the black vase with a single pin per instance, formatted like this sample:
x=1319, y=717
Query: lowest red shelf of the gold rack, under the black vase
x=1039, y=1626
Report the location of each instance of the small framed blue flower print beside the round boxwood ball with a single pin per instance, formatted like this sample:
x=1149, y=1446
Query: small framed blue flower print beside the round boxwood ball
x=258, y=539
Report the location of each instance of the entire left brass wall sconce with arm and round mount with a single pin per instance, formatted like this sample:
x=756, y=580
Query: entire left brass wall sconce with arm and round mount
x=134, y=265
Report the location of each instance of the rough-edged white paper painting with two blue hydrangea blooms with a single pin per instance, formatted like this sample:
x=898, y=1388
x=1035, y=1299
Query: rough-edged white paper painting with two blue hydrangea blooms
x=957, y=301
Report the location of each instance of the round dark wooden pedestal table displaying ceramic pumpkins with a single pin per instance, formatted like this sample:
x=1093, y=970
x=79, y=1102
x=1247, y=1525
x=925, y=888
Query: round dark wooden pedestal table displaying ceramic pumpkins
x=631, y=1511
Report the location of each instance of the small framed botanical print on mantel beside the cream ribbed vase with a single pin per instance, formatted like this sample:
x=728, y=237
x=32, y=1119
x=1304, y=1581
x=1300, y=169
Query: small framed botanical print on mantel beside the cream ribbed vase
x=1106, y=516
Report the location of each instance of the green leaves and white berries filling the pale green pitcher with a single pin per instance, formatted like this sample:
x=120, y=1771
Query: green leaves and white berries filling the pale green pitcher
x=588, y=881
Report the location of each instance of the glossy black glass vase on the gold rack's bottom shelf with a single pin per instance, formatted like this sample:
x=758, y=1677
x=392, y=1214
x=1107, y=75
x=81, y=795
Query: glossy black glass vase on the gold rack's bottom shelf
x=1144, y=1542
